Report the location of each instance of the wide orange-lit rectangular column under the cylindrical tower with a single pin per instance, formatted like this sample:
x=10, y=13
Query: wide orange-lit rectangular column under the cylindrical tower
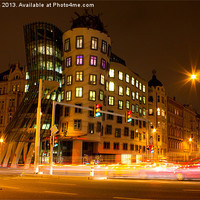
x=77, y=152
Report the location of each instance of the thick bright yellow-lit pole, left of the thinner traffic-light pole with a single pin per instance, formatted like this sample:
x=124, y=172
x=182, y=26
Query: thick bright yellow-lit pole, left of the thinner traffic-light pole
x=37, y=135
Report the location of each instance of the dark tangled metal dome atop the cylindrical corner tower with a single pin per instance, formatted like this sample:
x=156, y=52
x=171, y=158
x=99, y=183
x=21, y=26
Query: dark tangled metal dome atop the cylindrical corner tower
x=88, y=21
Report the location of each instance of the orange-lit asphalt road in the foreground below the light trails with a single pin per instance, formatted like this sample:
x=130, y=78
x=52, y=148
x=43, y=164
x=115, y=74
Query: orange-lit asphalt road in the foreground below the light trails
x=30, y=186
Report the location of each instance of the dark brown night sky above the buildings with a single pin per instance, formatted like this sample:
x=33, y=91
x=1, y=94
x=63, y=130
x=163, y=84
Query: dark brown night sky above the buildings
x=148, y=35
